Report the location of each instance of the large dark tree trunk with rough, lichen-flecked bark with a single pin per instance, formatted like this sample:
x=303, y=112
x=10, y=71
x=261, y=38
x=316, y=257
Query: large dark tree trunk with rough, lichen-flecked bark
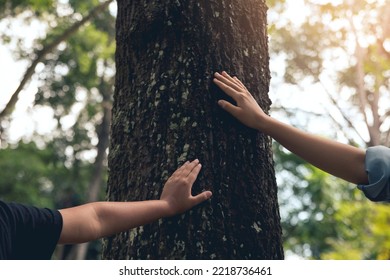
x=165, y=113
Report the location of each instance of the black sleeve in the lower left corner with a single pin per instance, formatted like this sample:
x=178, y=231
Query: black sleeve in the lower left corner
x=28, y=232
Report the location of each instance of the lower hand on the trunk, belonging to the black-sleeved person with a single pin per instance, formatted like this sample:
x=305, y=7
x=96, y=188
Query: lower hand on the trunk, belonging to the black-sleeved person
x=177, y=190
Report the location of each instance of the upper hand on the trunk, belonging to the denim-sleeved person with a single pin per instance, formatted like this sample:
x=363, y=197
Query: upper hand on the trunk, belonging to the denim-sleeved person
x=247, y=110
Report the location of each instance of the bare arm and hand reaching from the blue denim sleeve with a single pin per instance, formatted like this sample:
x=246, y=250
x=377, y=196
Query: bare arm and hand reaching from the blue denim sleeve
x=343, y=161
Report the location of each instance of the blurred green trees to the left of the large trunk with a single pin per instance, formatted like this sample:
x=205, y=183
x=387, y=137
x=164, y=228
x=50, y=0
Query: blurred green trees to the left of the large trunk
x=75, y=70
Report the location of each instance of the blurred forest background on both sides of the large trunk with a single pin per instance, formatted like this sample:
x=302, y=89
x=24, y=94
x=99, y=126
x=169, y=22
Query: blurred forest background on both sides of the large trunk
x=330, y=63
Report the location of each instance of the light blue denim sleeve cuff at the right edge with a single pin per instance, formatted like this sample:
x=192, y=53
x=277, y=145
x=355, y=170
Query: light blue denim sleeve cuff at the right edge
x=377, y=164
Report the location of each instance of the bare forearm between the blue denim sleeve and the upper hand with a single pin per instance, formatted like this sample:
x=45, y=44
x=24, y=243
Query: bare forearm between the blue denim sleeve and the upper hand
x=340, y=160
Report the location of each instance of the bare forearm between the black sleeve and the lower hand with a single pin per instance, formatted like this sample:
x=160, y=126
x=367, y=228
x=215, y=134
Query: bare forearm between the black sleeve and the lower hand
x=100, y=219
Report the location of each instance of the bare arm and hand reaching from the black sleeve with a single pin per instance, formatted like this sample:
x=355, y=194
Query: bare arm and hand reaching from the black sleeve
x=99, y=219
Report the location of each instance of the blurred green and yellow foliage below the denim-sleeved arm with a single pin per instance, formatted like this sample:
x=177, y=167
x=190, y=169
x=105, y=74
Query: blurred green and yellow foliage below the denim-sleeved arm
x=326, y=218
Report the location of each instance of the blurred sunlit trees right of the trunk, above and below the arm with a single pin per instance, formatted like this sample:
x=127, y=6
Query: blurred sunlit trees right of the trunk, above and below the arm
x=337, y=54
